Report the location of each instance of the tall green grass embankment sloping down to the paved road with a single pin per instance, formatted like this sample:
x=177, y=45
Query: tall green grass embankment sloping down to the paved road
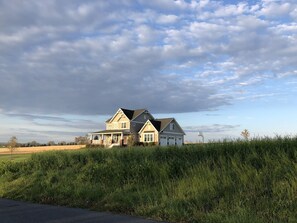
x=252, y=181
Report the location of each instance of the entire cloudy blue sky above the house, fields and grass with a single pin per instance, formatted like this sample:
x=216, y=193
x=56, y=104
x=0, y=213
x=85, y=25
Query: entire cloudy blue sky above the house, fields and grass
x=218, y=67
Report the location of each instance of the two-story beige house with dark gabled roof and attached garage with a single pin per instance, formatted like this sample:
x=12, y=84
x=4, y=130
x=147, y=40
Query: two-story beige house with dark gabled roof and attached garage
x=141, y=126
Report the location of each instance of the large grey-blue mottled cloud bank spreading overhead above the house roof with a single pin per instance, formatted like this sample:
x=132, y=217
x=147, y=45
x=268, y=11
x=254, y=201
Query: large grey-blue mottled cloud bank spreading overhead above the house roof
x=91, y=57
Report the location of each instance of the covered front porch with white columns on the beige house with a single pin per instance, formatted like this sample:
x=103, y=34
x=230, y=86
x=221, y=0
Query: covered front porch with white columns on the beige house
x=110, y=138
